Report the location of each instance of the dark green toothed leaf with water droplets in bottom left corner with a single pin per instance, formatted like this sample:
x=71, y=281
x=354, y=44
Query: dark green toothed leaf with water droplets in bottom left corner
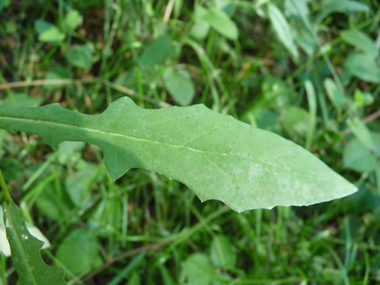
x=25, y=250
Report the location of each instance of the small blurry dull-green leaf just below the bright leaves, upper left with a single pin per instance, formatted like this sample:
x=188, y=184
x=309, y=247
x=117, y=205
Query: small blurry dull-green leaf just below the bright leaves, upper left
x=81, y=55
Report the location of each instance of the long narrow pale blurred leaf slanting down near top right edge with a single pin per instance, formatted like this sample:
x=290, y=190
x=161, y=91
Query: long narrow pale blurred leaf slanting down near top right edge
x=282, y=29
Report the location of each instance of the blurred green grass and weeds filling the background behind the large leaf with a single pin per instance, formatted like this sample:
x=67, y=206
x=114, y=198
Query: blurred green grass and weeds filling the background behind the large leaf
x=307, y=70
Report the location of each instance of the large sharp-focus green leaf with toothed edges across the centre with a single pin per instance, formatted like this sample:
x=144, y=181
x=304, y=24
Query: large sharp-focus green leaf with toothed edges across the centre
x=215, y=155
